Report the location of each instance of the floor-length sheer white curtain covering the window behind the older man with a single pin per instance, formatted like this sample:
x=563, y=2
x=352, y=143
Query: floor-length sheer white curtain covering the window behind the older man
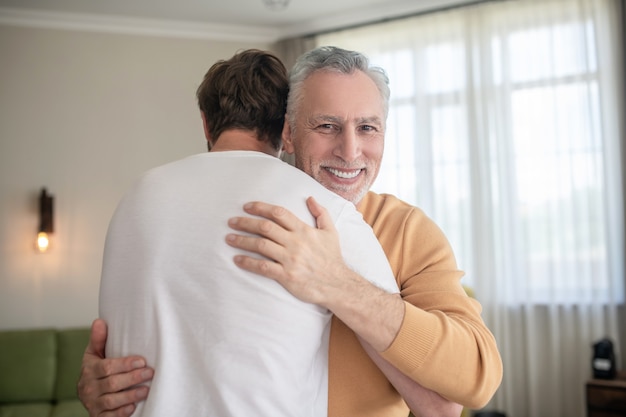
x=505, y=128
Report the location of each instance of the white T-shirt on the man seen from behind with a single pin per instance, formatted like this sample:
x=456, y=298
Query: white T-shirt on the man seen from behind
x=223, y=342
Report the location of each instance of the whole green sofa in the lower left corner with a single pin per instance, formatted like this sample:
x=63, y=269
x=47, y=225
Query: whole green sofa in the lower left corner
x=39, y=369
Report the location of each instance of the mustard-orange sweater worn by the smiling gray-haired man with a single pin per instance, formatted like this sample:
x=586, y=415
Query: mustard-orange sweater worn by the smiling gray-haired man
x=443, y=343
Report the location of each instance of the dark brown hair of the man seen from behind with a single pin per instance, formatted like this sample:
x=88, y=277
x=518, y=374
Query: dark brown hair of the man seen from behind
x=248, y=91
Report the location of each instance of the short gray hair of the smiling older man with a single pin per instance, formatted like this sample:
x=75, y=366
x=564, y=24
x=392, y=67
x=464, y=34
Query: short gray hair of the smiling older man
x=331, y=58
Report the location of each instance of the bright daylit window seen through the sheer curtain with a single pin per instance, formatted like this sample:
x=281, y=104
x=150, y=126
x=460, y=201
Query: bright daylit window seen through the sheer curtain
x=498, y=130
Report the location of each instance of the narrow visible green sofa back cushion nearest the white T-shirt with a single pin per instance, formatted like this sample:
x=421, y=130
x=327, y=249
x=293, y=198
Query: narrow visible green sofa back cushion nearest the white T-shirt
x=71, y=345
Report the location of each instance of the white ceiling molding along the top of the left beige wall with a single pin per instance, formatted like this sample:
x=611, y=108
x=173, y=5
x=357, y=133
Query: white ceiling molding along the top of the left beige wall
x=137, y=26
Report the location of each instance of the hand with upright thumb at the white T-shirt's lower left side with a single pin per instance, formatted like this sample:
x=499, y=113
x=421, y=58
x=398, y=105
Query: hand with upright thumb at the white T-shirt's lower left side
x=104, y=384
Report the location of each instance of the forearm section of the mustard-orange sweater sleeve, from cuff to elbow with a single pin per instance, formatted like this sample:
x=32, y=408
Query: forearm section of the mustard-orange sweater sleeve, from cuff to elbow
x=428, y=340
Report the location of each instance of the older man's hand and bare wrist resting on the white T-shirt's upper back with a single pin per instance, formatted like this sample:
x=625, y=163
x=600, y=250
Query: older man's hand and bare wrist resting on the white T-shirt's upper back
x=307, y=261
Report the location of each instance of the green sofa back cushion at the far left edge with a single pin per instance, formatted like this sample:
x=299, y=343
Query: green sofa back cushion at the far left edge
x=28, y=357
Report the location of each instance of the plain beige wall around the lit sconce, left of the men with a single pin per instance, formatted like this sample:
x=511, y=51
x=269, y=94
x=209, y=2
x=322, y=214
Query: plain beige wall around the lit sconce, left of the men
x=83, y=114
